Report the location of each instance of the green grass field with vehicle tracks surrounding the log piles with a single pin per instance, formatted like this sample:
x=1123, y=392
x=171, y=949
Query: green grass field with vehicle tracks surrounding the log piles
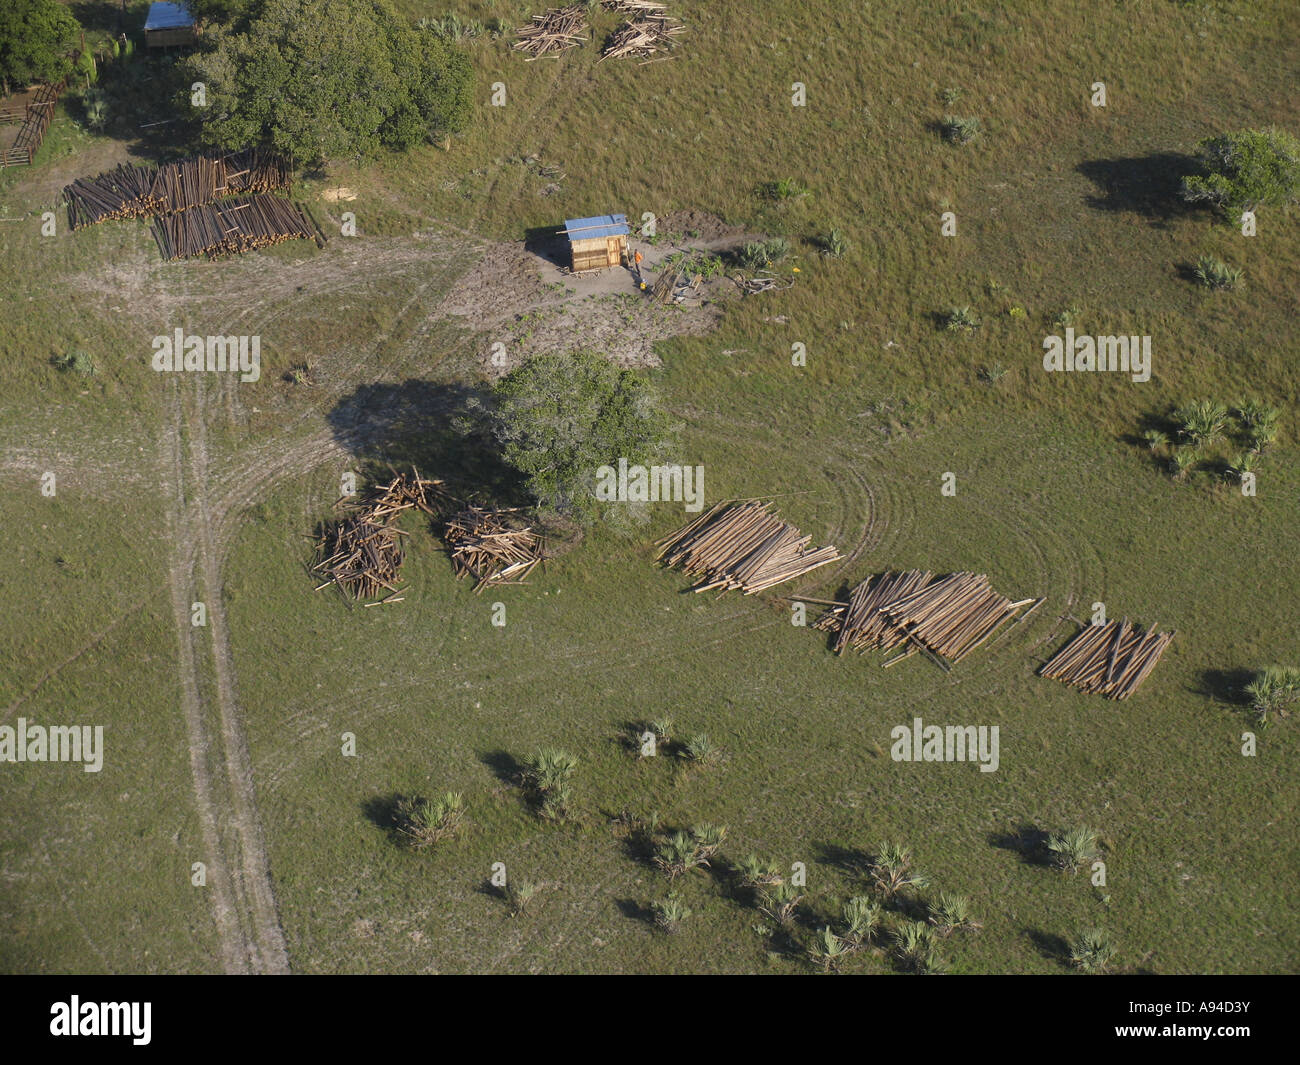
x=227, y=739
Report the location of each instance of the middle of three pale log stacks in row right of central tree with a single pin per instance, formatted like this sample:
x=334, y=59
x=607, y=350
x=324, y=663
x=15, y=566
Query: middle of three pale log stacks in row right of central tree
x=946, y=617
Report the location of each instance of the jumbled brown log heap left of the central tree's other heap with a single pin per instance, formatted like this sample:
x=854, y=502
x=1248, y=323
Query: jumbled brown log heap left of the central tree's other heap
x=362, y=555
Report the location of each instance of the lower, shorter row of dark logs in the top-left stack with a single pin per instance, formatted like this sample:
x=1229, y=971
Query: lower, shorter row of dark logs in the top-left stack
x=233, y=227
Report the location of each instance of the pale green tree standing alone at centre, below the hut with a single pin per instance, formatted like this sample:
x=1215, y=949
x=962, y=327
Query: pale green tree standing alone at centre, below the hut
x=560, y=418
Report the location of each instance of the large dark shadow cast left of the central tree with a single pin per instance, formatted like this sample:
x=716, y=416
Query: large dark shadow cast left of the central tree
x=437, y=428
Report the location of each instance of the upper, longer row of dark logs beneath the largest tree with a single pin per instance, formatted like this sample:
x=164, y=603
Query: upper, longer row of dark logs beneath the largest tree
x=145, y=192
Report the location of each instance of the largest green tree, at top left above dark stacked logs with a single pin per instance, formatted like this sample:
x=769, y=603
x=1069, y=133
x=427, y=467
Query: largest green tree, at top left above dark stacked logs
x=320, y=80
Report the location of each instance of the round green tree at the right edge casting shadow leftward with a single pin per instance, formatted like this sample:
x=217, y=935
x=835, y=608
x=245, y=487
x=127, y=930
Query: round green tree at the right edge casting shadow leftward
x=1246, y=170
